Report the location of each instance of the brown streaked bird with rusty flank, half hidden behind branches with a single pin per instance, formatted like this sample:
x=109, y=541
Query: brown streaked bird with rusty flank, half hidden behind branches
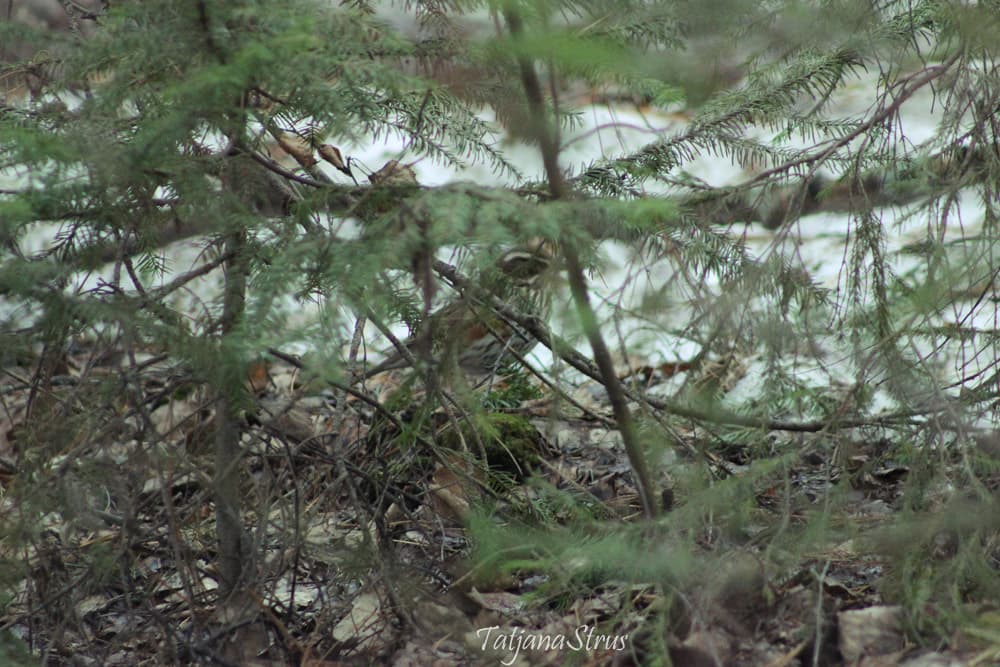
x=468, y=333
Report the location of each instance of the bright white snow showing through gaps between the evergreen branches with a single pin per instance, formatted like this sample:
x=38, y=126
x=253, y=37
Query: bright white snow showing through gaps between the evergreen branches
x=817, y=243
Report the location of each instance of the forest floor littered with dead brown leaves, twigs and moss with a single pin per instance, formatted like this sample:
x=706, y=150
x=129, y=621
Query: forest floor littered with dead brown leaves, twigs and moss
x=373, y=549
